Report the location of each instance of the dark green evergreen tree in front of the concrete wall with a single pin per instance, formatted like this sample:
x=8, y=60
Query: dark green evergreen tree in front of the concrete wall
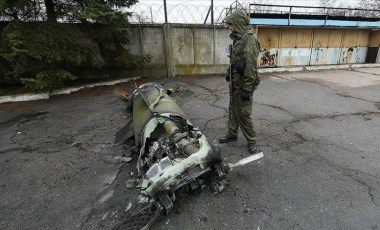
x=47, y=42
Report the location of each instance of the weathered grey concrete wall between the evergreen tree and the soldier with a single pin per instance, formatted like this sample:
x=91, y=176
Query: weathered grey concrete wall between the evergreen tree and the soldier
x=180, y=49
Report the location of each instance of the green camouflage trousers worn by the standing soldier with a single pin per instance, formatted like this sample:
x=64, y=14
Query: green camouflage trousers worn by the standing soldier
x=240, y=116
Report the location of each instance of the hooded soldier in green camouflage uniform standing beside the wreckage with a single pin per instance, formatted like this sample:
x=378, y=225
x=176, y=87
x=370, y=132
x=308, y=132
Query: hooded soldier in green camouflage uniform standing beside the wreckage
x=244, y=79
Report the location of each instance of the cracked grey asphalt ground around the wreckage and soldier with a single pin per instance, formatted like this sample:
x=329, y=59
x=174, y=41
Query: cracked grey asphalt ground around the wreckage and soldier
x=319, y=131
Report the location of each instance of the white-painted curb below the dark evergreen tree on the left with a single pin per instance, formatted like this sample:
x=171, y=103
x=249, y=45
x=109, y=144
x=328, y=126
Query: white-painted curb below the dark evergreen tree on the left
x=40, y=96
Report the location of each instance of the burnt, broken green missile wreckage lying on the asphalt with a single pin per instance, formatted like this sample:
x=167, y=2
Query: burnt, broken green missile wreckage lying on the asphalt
x=173, y=154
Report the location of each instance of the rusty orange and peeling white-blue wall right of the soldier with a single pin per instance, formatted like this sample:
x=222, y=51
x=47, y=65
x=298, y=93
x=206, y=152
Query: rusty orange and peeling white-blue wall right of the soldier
x=307, y=46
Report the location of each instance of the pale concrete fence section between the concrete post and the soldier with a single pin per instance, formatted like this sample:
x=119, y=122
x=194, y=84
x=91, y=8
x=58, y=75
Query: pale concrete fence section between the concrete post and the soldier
x=199, y=49
